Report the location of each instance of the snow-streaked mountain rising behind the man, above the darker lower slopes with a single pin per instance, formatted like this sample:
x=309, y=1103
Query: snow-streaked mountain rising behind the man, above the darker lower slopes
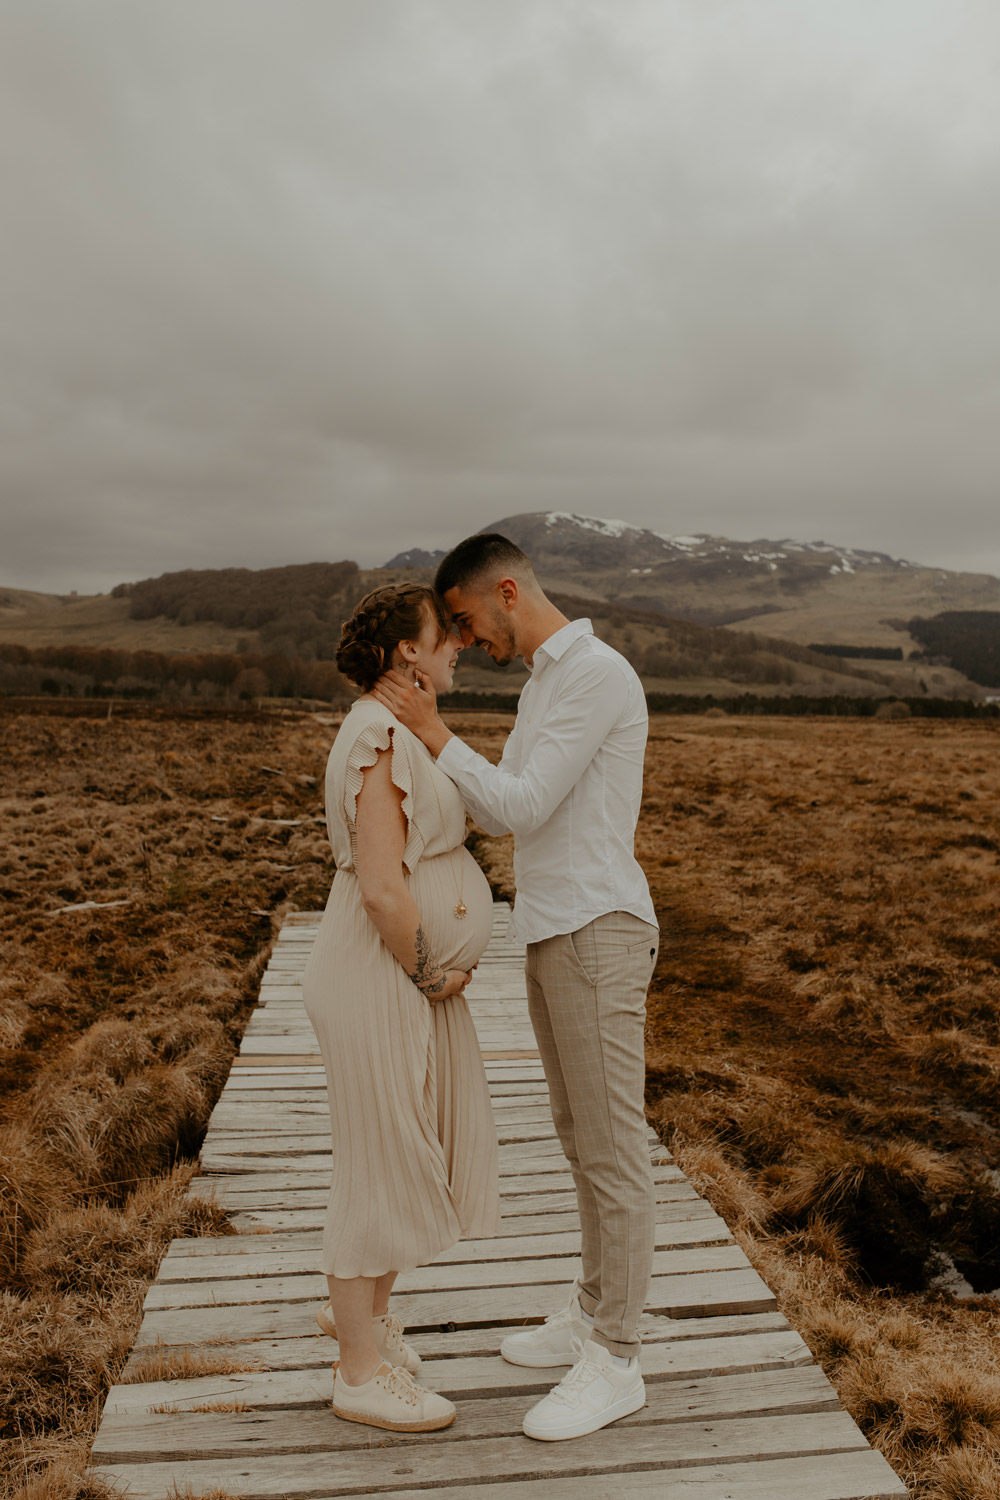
x=803, y=592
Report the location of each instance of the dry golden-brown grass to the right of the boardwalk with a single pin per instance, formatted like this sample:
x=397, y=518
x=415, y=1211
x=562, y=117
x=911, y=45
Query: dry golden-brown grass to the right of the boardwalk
x=824, y=1046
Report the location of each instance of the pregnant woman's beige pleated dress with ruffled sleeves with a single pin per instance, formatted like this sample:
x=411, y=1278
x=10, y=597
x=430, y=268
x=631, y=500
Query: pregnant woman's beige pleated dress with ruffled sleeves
x=415, y=1142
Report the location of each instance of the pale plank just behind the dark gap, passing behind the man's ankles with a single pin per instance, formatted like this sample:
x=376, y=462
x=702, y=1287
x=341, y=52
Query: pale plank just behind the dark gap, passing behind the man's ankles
x=695, y=1295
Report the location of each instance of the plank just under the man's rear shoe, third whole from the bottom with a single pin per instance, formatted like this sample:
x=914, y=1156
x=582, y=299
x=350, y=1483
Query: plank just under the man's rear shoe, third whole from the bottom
x=466, y=1378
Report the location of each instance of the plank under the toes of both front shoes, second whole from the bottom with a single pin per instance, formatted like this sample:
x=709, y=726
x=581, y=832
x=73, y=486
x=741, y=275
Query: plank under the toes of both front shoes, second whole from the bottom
x=310, y=1430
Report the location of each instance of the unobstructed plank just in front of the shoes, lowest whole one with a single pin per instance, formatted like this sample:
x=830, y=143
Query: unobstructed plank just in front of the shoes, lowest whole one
x=627, y=1445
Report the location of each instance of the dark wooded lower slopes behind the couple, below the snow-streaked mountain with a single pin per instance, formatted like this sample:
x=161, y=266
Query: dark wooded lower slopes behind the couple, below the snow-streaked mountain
x=283, y=628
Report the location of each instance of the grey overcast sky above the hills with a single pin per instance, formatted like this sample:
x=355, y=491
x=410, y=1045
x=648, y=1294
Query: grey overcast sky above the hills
x=334, y=278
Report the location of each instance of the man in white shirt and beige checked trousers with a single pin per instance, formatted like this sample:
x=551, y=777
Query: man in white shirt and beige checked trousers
x=569, y=787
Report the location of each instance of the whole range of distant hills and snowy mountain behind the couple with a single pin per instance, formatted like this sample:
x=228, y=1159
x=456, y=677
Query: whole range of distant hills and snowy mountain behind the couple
x=693, y=614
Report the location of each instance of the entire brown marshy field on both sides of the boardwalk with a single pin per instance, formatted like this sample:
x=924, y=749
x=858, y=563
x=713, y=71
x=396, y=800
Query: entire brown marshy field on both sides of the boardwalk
x=824, y=1042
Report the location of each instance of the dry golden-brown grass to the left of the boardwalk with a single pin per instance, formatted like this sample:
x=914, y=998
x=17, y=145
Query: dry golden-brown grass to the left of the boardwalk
x=118, y=1025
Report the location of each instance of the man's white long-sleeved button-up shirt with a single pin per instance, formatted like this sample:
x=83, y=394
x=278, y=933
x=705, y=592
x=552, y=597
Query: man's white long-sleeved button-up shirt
x=569, y=787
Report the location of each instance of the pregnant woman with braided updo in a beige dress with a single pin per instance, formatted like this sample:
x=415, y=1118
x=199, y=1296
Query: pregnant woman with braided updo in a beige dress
x=410, y=916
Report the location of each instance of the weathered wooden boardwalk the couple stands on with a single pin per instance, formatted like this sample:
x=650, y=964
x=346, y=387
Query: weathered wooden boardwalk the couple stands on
x=737, y=1409
